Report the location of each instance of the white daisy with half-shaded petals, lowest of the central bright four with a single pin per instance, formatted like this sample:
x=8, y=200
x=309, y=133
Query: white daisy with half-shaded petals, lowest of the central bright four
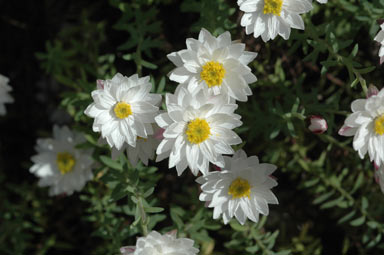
x=242, y=189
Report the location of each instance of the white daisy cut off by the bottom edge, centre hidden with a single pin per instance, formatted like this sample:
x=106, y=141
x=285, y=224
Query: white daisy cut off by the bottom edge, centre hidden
x=156, y=244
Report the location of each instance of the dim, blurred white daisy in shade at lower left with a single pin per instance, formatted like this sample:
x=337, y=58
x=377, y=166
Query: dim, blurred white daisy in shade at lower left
x=59, y=164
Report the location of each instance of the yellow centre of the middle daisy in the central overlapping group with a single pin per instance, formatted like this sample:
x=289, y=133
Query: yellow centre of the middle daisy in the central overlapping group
x=198, y=131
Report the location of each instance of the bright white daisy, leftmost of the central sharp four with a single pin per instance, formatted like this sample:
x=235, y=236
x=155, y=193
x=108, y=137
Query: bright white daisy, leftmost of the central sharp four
x=123, y=109
